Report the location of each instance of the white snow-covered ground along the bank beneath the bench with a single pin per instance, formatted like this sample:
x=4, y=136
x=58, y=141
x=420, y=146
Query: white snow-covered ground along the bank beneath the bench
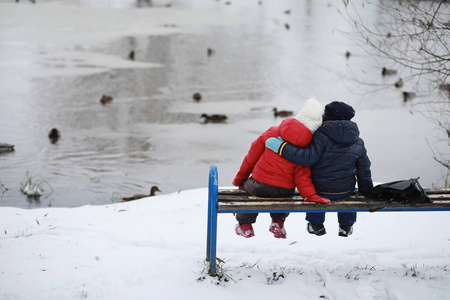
x=154, y=248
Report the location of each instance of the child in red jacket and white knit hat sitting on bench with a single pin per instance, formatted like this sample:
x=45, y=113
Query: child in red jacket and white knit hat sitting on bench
x=273, y=176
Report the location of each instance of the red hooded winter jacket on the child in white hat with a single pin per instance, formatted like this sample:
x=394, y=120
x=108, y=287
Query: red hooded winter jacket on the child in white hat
x=270, y=168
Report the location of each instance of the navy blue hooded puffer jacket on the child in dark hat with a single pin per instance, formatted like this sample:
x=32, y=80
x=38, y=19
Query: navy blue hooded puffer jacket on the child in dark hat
x=337, y=157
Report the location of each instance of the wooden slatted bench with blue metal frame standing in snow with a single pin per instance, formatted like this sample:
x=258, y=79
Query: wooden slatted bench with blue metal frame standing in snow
x=238, y=201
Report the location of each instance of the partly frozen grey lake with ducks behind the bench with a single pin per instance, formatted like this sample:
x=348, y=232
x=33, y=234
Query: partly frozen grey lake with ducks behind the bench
x=57, y=59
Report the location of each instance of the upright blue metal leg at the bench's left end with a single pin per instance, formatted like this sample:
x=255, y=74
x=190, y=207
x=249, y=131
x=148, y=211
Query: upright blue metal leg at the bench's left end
x=211, y=243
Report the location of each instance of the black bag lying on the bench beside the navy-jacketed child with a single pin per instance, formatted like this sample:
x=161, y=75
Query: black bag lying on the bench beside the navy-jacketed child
x=404, y=191
